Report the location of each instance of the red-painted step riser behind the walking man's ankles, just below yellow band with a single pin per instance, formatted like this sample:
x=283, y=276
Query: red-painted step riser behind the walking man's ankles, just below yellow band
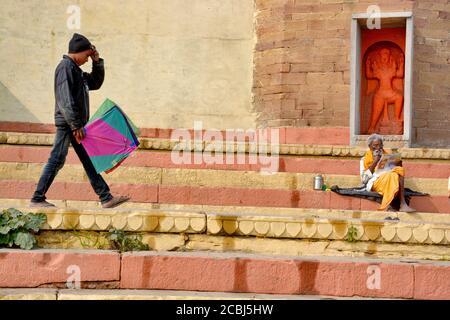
x=12, y=189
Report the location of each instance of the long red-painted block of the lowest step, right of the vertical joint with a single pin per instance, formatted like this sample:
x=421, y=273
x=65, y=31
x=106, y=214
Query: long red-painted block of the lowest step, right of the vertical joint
x=282, y=276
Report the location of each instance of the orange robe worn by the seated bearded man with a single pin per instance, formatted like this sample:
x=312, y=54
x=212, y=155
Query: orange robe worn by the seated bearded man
x=388, y=183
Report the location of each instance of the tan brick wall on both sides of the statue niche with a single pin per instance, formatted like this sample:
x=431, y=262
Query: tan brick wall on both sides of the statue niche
x=302, y=64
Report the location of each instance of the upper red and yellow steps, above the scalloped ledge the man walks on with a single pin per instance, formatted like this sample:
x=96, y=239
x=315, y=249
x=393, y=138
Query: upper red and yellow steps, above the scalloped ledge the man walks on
x=151, y=176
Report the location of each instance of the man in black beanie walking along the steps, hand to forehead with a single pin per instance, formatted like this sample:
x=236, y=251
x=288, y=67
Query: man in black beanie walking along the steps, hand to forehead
x=72, y=87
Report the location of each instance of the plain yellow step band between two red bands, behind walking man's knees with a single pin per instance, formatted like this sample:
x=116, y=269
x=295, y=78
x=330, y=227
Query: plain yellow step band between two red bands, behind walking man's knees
x=209, y=178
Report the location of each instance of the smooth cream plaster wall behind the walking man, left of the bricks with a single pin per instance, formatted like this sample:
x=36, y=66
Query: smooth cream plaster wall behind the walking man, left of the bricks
x=168, y=63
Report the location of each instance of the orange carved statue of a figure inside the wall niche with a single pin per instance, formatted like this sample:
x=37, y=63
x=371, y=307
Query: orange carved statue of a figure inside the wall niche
x=381, y=65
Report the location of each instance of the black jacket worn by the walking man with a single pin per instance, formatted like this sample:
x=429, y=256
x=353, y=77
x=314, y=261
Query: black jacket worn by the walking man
x=72, y=87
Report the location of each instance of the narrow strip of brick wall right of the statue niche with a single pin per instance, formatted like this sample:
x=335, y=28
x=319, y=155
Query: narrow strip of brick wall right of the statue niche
x=431, y=87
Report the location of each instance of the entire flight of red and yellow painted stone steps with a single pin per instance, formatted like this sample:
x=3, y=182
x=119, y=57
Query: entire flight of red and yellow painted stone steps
x=228, y=228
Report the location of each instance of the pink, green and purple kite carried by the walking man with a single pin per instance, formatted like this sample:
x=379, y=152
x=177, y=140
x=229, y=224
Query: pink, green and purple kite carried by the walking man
x=110, y=137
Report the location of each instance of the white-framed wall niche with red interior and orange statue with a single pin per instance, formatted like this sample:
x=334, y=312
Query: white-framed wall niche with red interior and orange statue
x=381, y=79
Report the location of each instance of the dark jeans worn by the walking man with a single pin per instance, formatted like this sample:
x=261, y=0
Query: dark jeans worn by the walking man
x=56, y=161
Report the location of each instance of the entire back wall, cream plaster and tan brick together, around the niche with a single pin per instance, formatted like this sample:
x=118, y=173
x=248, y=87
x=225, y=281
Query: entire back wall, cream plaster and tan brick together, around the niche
x=170, y=63
